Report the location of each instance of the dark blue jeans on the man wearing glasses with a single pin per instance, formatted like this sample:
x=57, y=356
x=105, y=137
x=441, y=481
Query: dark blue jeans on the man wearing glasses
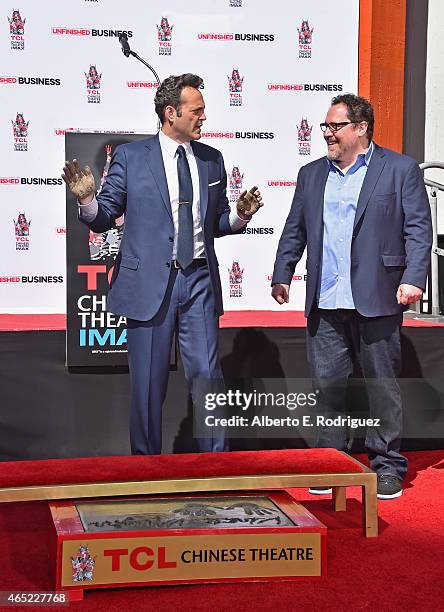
x=335, y=339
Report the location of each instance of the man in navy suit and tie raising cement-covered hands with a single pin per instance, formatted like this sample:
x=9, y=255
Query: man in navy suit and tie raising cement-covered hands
x=172, y=191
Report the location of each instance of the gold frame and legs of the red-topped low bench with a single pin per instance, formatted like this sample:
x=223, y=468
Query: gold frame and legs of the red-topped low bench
x=338, y=481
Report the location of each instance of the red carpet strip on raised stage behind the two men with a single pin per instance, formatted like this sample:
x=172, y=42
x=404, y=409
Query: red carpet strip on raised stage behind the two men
x=234, y=318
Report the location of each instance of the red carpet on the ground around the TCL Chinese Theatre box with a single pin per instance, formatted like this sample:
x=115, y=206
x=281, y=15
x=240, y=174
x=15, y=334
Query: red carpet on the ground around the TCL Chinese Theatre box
x=399, y=570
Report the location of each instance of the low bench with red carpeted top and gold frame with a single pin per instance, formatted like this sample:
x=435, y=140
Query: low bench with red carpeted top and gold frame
x=52, y=479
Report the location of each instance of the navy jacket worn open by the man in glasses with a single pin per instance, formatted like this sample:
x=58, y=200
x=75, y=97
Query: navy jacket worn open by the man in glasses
x=392, y=233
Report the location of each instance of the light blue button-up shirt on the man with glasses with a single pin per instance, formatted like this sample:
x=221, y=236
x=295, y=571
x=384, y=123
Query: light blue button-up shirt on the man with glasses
x=340, y=202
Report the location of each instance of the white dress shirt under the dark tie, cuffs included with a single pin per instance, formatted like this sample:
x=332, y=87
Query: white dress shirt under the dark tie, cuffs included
x=168, y=147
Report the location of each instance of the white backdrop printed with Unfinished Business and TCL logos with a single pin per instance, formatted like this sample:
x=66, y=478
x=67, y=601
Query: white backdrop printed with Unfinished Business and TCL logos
x=43, y=63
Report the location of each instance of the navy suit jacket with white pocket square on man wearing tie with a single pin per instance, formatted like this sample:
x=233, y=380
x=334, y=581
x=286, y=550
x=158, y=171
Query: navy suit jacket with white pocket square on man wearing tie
x=137, y=186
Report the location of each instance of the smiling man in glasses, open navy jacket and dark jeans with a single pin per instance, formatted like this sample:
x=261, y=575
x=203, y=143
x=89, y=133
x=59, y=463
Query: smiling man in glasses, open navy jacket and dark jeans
x=363, y=214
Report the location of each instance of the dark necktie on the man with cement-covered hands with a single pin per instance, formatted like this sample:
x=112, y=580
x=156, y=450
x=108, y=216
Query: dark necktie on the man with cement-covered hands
x=185, y=238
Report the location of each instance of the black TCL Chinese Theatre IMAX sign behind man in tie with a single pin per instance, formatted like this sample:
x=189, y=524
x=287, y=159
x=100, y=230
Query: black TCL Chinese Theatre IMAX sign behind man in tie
x=95, y=337
